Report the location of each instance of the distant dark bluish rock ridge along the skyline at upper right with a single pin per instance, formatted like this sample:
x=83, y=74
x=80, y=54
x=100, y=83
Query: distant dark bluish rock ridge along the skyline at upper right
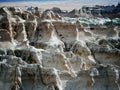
x=102, y=11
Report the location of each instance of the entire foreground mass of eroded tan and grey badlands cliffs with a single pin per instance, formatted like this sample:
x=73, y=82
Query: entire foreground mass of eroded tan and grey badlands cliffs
x=43, y=51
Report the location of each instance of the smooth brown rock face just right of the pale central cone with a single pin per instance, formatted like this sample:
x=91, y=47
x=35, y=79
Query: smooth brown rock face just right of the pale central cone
x=66, y=32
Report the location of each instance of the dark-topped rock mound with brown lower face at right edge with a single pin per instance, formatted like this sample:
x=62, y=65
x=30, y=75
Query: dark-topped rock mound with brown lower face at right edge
x=105, y=51
